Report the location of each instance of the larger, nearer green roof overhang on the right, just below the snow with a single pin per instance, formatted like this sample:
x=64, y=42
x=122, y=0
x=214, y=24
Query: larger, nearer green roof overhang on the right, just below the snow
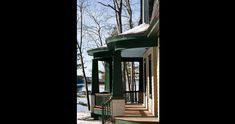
x=129, y=39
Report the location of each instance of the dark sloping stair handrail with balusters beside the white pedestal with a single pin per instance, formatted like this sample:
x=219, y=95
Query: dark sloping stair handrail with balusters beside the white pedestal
x=106, y=110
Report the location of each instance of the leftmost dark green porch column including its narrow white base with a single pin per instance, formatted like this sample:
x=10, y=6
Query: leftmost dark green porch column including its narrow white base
x=95, y=85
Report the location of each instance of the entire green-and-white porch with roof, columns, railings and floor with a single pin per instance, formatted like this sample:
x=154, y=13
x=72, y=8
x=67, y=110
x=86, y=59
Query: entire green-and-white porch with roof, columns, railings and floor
x=116, y=103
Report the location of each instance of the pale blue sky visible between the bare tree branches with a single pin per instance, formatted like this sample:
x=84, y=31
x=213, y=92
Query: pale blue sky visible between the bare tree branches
x=106, y=17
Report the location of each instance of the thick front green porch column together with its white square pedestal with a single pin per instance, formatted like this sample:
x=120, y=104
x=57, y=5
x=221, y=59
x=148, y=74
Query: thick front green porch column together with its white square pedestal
x=118, y=102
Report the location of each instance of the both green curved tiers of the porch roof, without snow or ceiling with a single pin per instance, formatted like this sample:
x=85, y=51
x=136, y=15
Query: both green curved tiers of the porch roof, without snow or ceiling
x=147, y=38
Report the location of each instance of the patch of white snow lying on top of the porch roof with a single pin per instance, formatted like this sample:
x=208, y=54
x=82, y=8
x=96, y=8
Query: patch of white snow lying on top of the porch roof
x=141, y=28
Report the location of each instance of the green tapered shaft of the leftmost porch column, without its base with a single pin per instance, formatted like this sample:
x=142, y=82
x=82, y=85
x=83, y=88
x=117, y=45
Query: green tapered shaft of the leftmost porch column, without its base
x=95, y=77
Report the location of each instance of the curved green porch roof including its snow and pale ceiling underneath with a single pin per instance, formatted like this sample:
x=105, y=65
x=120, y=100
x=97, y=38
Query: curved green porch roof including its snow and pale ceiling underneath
x=137, y=38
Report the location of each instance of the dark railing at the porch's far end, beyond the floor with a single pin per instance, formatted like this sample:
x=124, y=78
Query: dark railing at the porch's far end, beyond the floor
x=133, y=97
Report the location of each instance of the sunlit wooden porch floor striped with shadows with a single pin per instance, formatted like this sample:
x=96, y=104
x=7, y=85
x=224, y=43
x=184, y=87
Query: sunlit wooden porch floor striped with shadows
x=137, y=113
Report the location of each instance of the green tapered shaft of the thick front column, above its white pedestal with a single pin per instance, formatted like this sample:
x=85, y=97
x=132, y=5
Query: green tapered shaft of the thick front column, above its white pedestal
x=117, y=86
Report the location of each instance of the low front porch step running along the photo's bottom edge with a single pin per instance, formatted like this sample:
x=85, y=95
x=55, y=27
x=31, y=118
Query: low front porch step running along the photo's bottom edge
x=136, y=120
